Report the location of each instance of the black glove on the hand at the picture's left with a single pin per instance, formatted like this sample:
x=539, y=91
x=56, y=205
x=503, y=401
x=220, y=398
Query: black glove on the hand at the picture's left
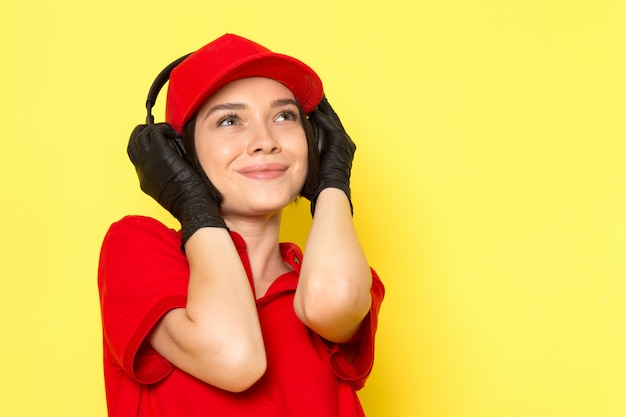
x=168, y=178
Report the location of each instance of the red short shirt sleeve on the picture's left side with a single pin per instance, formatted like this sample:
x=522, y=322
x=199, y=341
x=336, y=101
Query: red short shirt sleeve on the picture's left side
x=142, y=275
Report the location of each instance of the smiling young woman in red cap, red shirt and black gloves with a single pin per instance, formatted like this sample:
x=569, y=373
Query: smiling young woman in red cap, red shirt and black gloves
x=220, y=318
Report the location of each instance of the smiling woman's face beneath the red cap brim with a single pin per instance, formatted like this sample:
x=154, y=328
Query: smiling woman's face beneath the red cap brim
x=251, y=144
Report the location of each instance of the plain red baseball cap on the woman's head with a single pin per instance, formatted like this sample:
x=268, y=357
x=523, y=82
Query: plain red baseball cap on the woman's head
x=231, y=58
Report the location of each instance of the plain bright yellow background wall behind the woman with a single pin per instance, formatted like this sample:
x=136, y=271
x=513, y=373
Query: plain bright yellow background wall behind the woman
x=489, y=188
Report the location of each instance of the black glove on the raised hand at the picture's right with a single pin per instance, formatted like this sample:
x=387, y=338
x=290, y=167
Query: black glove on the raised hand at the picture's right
x=336, y=153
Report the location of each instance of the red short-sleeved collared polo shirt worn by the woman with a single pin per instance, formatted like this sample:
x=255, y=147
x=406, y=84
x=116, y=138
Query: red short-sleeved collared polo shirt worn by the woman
x=143, y=274
